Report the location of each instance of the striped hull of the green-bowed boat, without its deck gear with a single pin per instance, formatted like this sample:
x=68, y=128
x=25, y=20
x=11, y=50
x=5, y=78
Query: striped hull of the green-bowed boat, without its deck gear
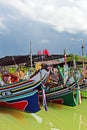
x=69, y=96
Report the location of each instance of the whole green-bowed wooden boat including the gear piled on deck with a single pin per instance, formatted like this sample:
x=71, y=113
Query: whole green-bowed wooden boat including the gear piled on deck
x=64, y=90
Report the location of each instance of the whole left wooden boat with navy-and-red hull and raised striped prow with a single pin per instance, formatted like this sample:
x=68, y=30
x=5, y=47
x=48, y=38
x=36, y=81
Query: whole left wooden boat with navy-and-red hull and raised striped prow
x=23, y=95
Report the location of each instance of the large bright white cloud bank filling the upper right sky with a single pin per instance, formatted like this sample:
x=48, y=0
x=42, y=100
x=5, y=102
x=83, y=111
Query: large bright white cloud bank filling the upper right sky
x=64, y=15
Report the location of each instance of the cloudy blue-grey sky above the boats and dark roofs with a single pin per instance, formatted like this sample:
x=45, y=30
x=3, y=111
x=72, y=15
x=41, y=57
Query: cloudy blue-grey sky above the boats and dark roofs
x=48, y=24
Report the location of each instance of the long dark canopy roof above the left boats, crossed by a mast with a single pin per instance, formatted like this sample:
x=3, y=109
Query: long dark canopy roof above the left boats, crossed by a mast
x=14, y=60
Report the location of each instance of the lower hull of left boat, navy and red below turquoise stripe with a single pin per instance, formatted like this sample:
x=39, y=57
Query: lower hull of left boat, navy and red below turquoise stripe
x=27, y=102
